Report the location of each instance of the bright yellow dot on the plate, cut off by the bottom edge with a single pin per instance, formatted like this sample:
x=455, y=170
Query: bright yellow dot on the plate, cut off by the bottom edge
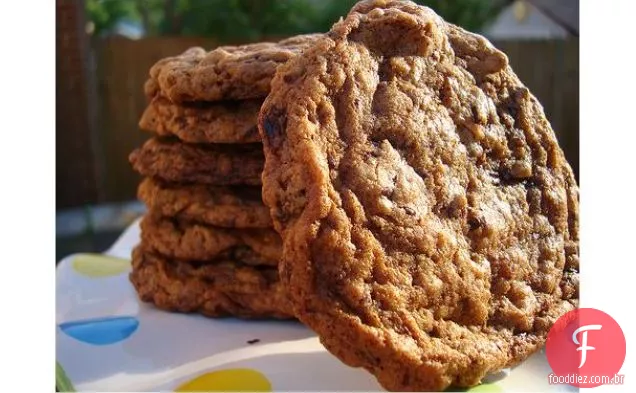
x=232, y=380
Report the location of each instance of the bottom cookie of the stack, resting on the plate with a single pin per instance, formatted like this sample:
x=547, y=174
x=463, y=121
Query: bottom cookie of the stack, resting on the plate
x=227, y=288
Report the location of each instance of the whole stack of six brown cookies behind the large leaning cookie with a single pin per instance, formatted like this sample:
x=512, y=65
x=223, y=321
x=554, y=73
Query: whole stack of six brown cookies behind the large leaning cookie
x=207, y=242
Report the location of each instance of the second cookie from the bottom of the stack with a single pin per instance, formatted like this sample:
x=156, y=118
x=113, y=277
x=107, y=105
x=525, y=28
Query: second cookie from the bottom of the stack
x=187, y=240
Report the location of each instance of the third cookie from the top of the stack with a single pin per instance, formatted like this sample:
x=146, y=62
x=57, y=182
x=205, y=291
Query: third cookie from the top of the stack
x=174, y=161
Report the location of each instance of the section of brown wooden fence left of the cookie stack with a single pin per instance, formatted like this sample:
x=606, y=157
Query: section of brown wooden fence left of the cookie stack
x=122, y=67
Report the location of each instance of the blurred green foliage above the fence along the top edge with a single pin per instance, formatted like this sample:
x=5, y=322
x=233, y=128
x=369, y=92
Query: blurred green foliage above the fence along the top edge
x=235, y=20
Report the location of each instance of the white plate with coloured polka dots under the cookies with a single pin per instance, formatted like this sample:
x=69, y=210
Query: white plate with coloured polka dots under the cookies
x=109, y=341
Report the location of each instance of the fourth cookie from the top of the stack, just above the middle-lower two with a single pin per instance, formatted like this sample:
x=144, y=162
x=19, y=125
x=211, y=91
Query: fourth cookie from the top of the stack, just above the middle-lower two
x=229, y=207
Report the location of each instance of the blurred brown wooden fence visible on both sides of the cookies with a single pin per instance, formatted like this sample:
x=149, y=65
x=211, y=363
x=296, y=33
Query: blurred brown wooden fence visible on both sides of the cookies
x=548, y=68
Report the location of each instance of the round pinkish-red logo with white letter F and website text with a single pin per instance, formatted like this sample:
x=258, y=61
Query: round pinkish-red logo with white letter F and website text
x=585, y=348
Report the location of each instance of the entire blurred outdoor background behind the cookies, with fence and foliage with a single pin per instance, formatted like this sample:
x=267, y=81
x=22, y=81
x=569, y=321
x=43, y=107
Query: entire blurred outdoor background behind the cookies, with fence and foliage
x=105, y=48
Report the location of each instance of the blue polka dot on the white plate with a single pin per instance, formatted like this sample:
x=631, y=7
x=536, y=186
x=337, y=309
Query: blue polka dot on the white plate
x=102, y=331
